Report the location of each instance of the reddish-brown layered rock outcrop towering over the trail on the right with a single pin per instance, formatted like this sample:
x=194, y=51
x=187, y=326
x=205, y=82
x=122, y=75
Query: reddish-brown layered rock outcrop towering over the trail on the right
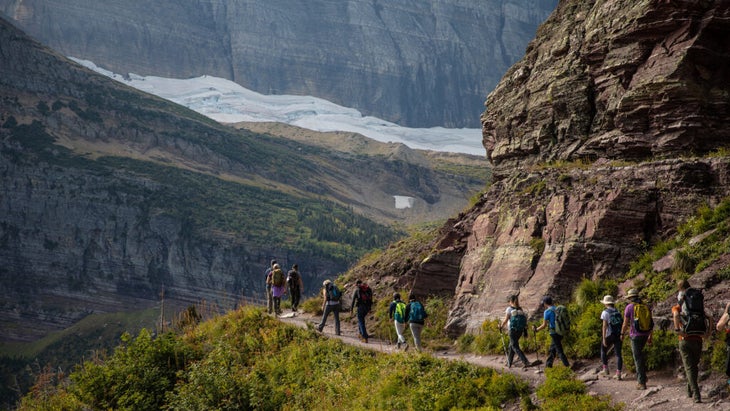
x=599, y=139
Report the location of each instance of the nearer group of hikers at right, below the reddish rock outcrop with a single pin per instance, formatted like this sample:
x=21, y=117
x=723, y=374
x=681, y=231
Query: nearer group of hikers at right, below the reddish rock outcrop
x=689, y=319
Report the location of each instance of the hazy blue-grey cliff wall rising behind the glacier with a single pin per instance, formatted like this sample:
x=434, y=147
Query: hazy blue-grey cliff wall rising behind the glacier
x=423, y=63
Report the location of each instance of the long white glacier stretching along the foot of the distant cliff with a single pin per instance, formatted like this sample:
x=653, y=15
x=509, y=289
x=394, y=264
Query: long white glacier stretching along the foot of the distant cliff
x=228, y=102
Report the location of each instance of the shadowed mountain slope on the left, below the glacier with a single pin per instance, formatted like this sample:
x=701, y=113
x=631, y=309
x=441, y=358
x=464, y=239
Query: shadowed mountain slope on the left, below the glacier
x=109, y=195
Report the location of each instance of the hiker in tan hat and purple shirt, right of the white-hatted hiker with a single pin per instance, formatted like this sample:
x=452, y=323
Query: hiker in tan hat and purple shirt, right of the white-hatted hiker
x=639, y=325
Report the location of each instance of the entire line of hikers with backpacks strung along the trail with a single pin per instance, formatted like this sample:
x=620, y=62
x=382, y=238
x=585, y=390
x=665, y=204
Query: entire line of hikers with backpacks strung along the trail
x=635, y=321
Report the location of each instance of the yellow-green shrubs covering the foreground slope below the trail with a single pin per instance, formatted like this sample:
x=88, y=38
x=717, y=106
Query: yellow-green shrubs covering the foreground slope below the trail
x=247, y=360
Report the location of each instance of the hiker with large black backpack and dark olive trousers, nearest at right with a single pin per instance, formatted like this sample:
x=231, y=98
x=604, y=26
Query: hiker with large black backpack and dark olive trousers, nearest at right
x=691, y=326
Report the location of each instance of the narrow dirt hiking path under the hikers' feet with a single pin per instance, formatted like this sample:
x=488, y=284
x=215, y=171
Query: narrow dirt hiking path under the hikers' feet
x=665, y=391
